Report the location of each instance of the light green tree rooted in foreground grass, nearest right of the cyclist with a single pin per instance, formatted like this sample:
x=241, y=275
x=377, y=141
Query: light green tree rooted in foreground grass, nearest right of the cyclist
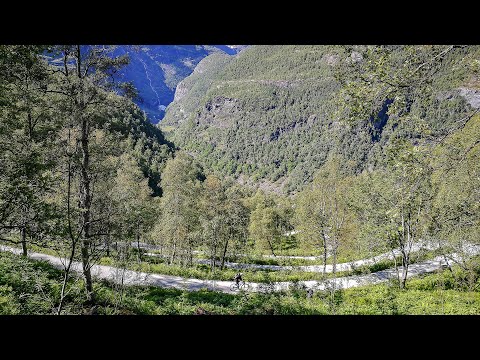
x=393, y=203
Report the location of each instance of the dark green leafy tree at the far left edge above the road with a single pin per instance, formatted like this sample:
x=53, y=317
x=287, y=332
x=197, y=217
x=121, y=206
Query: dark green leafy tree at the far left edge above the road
x=26, y=129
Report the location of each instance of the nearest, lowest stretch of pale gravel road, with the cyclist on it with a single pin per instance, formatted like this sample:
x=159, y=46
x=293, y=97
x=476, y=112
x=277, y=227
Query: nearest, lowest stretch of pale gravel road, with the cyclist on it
x=130, y=277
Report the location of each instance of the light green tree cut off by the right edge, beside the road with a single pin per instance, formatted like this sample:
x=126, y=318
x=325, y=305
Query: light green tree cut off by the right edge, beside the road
x=456, y=202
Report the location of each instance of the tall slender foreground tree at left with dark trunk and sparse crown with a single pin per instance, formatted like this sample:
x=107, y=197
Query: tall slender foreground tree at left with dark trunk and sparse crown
x=85, y=82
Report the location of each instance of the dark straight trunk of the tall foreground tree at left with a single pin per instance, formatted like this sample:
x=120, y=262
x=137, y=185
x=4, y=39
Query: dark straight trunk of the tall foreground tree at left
x=85, y=206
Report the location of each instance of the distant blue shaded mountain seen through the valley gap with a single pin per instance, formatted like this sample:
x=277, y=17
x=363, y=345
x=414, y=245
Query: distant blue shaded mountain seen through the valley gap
x=155, y=70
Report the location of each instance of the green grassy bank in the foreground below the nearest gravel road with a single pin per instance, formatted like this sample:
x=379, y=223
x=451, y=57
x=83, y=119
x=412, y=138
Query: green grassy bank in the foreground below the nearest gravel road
x=29, y=287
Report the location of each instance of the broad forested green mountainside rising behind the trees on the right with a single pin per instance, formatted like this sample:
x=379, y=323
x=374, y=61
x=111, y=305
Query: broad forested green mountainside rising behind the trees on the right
x=272, y=115
